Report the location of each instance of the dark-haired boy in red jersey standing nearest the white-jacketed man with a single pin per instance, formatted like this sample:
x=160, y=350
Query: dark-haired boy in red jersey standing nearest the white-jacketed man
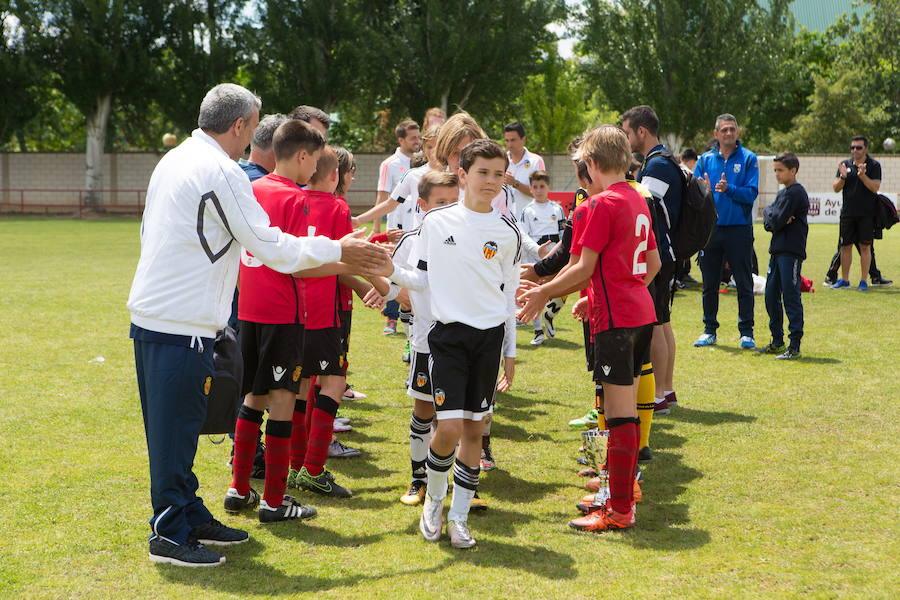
x=271, y=310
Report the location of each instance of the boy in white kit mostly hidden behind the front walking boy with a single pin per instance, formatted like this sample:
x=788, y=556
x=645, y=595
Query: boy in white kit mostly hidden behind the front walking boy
x=437, y=188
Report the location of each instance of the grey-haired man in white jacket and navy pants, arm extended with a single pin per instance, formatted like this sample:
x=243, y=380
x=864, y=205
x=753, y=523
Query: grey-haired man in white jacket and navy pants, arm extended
x=200, y=211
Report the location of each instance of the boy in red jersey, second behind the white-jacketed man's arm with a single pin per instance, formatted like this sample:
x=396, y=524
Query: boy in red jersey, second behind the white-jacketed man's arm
x=323, y=347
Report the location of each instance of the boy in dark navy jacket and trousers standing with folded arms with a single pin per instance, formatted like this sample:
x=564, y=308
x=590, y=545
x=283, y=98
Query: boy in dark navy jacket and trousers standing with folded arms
x=786, y=219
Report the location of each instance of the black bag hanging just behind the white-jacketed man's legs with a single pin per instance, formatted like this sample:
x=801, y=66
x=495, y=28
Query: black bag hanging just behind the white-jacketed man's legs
x=224, y=399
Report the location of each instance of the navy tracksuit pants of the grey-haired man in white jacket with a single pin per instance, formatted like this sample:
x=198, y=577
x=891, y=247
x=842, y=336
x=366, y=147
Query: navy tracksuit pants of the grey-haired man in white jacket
x=173, y=385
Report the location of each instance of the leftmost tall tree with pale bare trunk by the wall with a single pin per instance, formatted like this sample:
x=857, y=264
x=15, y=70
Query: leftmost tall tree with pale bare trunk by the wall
x=100, y=52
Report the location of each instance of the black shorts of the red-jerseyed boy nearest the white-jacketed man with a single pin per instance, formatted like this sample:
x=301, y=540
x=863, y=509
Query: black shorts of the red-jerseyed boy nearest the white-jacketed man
x=273, y=357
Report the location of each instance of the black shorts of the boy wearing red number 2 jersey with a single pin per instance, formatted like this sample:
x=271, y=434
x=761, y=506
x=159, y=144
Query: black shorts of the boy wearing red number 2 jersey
x=620, y=353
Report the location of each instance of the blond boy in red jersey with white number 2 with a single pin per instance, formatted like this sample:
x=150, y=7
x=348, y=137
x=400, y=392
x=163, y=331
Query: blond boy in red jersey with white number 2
x=618, y=256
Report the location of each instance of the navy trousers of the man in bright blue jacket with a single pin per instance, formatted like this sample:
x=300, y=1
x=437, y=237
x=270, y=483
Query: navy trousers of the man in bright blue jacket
x=735, y=244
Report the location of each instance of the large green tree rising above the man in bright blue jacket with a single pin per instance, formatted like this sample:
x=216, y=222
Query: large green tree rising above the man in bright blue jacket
x=689, y=59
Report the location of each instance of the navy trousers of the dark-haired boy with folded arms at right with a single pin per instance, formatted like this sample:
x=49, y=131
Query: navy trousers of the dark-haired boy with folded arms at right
x=783, y=288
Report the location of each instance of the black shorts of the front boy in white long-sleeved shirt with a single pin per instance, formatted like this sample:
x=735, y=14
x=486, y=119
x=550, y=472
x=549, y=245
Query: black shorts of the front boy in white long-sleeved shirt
x=464, y=366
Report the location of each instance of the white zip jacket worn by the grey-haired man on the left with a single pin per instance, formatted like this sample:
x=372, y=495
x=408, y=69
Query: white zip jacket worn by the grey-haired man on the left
x=200, y=210
